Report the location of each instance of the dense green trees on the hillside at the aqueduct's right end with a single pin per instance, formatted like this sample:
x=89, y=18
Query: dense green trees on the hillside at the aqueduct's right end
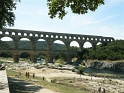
x=112, y=51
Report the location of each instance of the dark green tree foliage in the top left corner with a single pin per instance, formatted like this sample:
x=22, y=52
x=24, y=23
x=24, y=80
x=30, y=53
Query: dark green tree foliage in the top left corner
x=7, y=16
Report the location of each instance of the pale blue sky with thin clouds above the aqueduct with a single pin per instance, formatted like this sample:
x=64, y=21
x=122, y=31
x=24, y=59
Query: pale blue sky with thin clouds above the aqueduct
x=107, y=20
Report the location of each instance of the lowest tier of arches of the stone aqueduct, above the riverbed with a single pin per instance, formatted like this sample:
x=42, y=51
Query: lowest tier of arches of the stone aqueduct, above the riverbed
x=32, y=56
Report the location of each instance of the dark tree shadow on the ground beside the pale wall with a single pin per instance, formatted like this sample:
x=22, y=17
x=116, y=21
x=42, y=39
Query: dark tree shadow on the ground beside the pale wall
x=21, y=86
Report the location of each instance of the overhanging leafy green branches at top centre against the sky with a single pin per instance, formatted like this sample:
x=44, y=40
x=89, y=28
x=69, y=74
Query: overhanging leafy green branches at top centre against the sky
x=58, y=7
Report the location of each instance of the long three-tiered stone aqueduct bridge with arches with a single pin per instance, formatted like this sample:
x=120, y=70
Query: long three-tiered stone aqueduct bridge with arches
x=49, y=37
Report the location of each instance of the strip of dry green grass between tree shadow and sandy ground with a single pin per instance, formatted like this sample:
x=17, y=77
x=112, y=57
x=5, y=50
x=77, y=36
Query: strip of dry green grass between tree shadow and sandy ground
x=39, y=82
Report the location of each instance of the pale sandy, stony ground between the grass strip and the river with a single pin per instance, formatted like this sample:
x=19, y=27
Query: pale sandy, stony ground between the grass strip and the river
x=111, y=85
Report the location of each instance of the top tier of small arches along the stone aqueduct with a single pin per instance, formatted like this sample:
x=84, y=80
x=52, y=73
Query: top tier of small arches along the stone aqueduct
x=26, y=33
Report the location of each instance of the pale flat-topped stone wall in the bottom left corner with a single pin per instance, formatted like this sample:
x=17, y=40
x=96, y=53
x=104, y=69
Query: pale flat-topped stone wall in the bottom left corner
x=3, y=82
